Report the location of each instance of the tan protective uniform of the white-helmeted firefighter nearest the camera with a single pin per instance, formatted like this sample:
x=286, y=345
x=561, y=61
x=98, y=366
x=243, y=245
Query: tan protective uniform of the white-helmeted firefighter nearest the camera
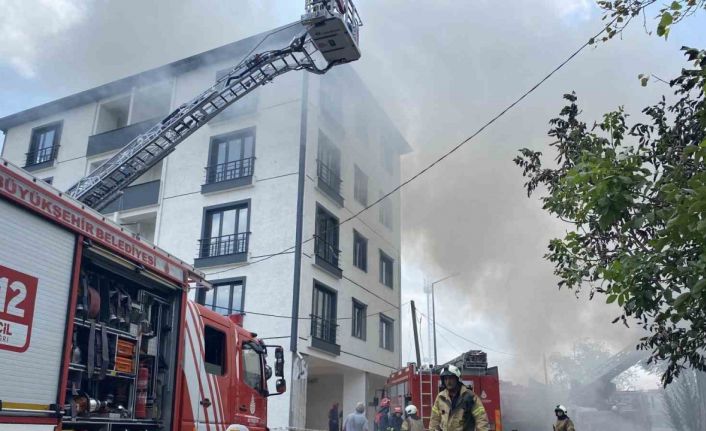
x=460, y=414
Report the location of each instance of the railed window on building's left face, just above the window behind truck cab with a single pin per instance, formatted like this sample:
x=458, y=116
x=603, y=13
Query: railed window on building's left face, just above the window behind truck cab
x=226, y=231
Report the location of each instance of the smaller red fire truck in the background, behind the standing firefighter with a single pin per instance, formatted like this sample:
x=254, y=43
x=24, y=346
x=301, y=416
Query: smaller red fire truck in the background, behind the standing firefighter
x=419, y=385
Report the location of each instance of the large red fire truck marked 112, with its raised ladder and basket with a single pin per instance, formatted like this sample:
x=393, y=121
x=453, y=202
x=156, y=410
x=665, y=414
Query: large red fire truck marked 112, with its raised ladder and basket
x=96, y=329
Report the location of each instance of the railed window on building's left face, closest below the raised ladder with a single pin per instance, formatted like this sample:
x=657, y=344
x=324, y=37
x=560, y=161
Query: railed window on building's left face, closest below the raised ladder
x=231, y=157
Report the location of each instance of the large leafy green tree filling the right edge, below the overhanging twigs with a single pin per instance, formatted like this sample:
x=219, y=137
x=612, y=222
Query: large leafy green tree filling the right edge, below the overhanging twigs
x=635, y=200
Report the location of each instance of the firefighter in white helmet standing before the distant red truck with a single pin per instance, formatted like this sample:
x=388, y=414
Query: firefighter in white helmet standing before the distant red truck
x=457, y=408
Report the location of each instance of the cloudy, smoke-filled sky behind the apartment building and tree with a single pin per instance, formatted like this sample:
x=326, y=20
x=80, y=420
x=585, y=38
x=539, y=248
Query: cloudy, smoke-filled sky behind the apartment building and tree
x=440, y=68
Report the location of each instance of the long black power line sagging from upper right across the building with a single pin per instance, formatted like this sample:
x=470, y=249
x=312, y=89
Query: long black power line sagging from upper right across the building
x=452, y=150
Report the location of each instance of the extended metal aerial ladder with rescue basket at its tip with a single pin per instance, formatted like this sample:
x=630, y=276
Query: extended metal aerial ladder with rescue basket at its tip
x=330, y=38
